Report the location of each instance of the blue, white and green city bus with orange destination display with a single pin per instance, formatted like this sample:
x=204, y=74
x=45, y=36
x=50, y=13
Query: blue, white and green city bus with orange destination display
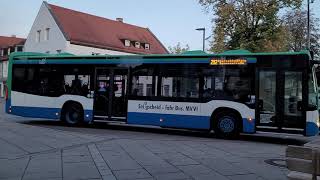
x=228, y=93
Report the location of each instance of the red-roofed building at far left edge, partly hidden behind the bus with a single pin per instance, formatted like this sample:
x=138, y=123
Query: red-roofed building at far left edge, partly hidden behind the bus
x=7, y=46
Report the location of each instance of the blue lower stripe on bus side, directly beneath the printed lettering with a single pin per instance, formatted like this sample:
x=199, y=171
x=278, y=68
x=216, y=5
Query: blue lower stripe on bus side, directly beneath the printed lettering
x=169, y=120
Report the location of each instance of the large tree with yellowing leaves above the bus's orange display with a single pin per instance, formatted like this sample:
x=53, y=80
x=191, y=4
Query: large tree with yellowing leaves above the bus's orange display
x=248, y=24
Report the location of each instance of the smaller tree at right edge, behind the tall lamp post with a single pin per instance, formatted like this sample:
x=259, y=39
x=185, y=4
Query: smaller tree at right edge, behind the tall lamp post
x=296, y=22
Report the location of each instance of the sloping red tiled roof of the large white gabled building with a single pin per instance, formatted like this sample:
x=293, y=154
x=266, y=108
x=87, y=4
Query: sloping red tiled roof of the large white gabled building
x=89, y=30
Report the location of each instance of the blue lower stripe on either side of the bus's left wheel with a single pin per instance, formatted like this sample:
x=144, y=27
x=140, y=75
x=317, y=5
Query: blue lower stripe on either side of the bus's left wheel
x=47, y=113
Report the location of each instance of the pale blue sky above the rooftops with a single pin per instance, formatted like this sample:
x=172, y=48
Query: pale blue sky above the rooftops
x=172, y=21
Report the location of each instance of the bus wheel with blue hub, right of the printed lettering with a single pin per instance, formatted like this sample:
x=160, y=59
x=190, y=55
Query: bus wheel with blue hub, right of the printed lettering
x=226, y=124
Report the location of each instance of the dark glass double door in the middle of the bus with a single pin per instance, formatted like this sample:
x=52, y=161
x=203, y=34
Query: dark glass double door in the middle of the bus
x=110, y=94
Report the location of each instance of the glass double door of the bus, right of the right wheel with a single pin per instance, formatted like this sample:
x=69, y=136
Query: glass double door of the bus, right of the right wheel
x=279, y=100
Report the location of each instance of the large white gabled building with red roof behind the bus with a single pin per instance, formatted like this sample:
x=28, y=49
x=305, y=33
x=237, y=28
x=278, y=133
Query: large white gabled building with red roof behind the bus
x=57, y=29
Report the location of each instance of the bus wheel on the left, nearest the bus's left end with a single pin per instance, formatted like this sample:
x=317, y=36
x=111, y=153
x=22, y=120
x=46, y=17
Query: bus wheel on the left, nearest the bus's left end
x=73, y=114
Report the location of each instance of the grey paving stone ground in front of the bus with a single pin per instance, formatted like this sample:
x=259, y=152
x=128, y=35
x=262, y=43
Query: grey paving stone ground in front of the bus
x=33, y=152
